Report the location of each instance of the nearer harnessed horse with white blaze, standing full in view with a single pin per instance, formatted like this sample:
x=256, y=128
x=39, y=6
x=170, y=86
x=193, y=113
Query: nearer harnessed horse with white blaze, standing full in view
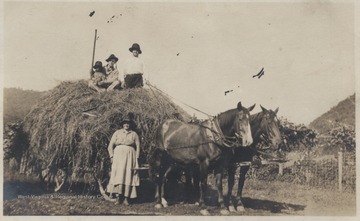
x=197, y=146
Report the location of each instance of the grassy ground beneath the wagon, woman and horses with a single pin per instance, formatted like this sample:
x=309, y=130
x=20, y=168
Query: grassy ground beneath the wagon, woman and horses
x=261, y=198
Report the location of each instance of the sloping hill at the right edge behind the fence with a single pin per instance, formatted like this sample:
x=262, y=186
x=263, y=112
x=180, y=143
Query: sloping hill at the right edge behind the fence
x=341, y=114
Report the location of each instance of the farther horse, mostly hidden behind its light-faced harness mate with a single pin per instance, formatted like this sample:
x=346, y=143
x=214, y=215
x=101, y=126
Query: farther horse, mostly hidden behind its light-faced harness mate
x=266, y=141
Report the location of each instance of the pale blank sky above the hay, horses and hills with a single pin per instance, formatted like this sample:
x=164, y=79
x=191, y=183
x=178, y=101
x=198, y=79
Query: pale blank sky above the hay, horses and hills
x=193, y=51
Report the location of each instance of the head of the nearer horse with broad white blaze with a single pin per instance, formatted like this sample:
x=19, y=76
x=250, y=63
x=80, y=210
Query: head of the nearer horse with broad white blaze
x=236, y=123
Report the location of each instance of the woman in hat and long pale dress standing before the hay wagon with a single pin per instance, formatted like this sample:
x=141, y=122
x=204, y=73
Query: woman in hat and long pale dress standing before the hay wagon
x=124, y=151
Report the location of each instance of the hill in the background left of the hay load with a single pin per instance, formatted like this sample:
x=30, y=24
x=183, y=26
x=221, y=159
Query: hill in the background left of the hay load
x=18, y=103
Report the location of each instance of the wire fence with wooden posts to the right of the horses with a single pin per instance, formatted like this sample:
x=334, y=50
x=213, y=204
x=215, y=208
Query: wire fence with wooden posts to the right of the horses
x=331, y=171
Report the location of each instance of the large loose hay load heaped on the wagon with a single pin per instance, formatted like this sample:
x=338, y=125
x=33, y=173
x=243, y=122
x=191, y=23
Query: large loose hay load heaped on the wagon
x=69, y=130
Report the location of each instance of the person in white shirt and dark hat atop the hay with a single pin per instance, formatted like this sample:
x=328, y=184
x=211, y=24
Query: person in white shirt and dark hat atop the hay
x=134, y=69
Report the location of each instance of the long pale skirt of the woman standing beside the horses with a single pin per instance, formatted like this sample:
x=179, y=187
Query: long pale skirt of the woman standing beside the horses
x=123, y=180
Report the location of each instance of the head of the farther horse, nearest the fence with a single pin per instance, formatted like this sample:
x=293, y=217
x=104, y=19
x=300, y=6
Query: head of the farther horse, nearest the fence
x=266, y=132
